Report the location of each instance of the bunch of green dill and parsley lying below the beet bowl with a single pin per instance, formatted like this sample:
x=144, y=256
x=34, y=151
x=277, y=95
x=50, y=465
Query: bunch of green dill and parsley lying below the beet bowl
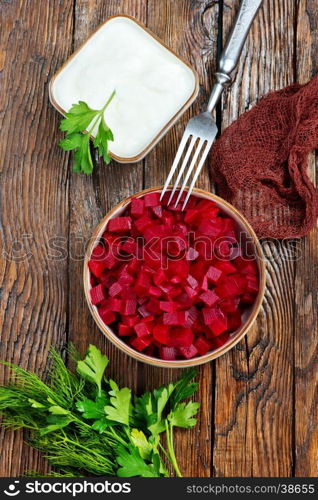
x=86, y=425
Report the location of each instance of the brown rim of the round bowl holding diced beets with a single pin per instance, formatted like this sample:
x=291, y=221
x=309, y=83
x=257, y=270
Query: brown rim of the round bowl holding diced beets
x=245, y=231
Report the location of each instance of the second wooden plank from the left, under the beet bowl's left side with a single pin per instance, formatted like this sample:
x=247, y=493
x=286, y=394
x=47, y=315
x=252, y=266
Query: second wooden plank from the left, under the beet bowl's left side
x=90, y=199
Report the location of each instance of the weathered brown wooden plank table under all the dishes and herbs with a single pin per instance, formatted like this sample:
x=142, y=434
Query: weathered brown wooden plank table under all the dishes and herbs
x=258, y=402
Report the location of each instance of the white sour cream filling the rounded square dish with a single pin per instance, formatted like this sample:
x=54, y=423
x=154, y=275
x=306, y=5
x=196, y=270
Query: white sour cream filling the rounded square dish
x=151, y=83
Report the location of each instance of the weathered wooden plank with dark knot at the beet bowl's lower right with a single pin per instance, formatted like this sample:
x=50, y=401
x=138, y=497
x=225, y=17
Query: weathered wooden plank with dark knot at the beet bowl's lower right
x=254, y=382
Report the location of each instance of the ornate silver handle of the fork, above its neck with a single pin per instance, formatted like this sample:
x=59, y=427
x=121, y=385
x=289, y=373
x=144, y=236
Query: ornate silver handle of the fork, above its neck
x=233, y=48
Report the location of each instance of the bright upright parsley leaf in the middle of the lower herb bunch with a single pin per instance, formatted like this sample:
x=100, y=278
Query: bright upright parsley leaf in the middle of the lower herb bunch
x=120, y=400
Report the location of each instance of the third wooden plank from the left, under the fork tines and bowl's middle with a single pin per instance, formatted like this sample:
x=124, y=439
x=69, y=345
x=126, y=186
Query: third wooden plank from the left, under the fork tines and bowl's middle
x=190, y=28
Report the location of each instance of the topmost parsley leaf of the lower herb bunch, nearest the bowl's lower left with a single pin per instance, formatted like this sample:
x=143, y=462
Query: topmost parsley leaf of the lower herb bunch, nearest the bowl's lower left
x=93, y=366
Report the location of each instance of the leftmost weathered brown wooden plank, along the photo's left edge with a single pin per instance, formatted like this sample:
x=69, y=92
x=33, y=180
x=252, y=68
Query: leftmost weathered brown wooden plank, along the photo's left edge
x=34, y=198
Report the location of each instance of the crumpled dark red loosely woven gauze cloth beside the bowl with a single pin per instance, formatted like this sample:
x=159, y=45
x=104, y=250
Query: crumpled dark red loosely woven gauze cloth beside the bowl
x=260, y=162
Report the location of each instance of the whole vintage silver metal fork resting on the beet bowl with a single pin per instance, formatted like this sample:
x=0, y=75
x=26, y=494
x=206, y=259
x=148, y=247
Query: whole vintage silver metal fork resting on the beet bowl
x=202, y=129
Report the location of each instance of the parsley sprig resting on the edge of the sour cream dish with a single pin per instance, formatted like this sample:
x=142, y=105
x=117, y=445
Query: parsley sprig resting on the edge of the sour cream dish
x=77, y=138
